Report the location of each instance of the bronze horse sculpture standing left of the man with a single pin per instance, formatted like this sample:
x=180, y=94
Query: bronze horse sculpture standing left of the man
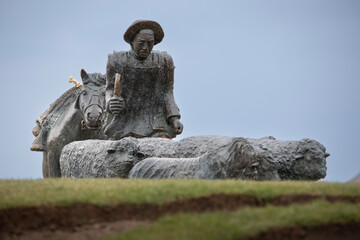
x=77, y=115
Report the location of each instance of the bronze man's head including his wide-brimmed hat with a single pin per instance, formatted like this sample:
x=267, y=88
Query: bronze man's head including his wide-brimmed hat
x=142, y=35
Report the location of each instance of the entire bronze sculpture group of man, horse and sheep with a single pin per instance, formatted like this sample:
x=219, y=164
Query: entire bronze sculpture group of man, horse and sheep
x=134, y=104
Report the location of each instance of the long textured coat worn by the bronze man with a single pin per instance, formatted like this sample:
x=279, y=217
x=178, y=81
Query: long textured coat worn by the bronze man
x=147, y=90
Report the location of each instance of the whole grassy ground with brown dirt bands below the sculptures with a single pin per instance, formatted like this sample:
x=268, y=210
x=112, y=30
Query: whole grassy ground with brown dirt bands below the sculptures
x=176, y=209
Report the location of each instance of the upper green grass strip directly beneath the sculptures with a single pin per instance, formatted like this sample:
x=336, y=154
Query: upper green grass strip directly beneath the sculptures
x=19, y=193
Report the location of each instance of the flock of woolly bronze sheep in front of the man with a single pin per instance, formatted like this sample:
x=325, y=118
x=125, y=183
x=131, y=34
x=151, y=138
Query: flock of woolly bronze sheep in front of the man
x=203, y=157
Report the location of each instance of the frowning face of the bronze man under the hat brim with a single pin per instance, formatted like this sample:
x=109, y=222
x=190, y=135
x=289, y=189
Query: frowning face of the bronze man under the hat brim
x=143, y=43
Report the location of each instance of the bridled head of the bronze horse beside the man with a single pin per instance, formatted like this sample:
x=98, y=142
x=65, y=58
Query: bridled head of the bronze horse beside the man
x=91, y=100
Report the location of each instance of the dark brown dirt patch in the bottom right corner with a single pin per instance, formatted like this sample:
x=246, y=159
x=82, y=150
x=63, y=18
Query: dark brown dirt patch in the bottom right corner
x=332, y=231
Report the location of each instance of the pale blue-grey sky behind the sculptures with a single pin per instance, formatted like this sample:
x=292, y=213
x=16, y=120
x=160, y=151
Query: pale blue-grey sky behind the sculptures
x=288, y=69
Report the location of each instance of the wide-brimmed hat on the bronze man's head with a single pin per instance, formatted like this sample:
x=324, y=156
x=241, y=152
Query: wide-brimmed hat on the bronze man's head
x=138, y=25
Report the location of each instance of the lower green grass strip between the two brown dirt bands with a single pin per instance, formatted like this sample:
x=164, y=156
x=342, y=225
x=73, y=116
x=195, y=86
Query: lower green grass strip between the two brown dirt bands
x=244, y=222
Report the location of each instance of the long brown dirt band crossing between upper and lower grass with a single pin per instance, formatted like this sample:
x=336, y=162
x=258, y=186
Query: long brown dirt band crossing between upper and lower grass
x=19, y=222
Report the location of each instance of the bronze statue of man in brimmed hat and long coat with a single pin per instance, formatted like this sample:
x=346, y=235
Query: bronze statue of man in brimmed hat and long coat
x=146, y=105
